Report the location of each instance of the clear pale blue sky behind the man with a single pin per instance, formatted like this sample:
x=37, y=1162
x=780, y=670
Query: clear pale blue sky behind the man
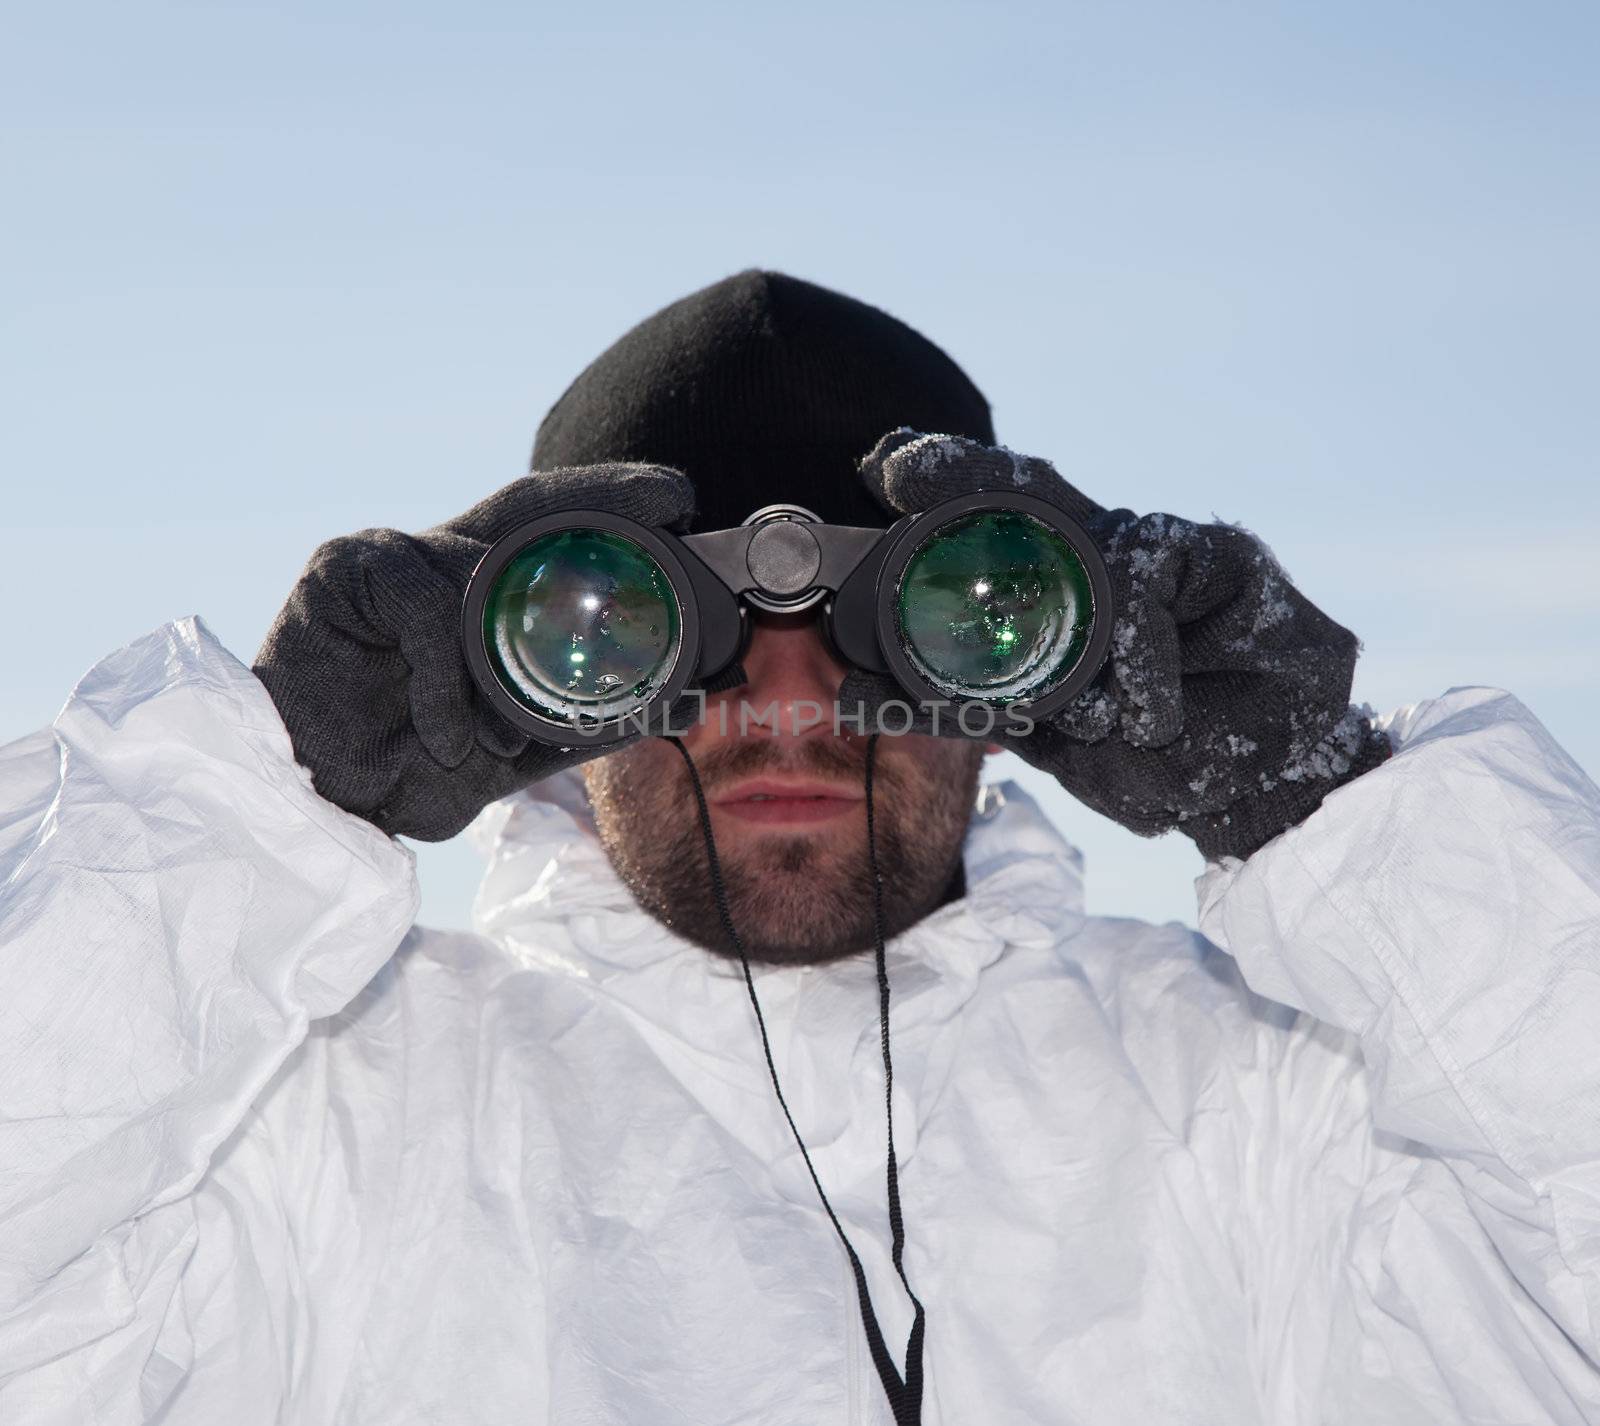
x=273, y=273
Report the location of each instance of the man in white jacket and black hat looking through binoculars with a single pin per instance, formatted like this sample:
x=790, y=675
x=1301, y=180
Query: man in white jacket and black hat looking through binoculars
x=273, y=1155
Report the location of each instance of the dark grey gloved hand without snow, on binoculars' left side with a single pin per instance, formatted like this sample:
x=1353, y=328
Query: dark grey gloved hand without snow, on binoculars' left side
x=366, y=663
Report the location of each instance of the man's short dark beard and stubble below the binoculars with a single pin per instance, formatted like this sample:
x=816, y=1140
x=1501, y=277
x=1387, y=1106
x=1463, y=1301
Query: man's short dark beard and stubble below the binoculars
x=793, y=899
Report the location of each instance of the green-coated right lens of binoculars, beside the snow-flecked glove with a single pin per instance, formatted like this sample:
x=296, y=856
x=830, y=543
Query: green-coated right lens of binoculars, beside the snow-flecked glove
x=994, y=606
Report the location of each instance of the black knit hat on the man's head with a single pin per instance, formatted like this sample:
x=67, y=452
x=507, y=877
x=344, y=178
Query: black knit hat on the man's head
x=762, y=390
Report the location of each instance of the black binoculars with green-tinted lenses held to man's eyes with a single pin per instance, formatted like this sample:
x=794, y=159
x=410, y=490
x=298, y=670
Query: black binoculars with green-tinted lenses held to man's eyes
x=585, y=627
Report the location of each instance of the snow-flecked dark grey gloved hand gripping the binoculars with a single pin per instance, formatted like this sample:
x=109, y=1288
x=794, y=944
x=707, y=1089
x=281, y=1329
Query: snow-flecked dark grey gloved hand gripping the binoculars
x=1225, y=707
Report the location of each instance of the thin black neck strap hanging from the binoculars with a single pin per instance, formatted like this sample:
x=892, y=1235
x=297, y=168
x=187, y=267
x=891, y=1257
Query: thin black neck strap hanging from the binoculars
x=905, y=1393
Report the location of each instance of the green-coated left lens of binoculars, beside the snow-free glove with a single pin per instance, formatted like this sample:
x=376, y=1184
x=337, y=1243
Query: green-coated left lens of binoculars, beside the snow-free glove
x=583, y=625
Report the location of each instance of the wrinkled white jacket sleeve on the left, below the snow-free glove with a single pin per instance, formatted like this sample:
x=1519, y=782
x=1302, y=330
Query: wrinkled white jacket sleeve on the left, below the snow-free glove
x=177, y=905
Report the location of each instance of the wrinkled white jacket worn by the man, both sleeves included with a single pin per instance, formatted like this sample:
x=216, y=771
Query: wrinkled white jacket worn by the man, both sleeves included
x=268, y=1155
